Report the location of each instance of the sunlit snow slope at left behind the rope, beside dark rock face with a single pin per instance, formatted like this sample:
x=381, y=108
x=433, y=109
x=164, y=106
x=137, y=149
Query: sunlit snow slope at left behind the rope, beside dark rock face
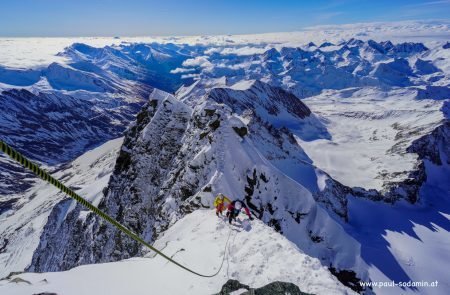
x=22, y=224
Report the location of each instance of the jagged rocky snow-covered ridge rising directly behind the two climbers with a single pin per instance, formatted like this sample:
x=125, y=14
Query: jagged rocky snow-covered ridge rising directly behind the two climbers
x=226, y=144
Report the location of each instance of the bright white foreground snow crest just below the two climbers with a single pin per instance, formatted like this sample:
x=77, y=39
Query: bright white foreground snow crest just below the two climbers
x=256, y=255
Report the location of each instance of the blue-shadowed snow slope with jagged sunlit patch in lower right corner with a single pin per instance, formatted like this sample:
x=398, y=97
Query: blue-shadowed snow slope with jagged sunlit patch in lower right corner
x=403, y=242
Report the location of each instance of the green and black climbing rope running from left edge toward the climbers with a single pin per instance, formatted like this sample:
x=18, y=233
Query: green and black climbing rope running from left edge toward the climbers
x=22, y=160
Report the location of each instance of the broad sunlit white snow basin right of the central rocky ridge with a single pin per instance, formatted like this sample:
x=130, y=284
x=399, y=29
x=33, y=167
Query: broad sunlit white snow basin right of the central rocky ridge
x=370, y=132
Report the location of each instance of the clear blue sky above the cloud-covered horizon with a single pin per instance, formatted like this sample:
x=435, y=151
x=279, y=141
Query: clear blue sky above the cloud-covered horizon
x=195, y=17
